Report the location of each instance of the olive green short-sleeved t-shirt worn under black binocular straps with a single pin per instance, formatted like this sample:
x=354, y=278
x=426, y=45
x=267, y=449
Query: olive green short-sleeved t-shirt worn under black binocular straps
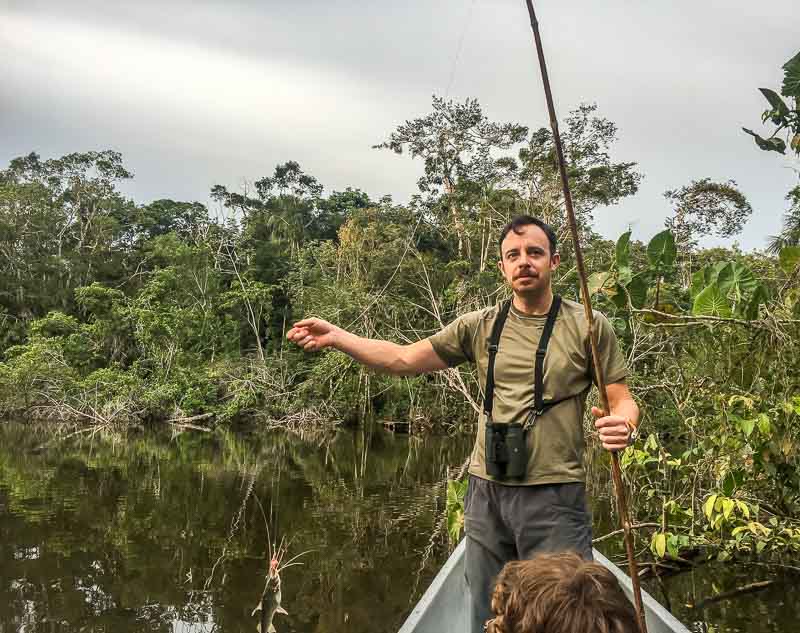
x=555, y=443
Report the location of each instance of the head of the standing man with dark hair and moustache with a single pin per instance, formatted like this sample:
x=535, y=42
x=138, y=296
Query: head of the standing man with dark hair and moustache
x=526, y=262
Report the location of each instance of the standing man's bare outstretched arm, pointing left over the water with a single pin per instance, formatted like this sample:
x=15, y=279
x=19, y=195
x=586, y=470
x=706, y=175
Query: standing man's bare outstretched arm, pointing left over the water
x=401, y=360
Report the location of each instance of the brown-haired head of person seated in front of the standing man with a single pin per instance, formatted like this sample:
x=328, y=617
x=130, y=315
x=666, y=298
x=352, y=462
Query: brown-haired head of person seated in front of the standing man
x=559, y=593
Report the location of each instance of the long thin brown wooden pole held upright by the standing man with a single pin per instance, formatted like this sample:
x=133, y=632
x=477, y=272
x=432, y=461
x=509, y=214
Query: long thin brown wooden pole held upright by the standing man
x=619, y=488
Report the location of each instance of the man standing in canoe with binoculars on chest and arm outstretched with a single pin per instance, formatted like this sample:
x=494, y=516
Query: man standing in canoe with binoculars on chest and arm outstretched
x=526, y=491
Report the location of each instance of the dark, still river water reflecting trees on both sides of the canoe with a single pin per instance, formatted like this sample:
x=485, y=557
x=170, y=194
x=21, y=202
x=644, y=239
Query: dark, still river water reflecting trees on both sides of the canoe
x=155, y=532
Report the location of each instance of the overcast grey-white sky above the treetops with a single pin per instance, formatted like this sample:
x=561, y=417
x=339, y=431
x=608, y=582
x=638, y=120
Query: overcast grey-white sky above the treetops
x=199, y=93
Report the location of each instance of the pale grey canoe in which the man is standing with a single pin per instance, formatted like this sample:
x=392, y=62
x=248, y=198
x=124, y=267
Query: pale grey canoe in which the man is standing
x=444, y=608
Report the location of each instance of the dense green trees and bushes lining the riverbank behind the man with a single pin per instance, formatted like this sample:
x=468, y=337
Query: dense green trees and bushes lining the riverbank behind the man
x=120, y=313
